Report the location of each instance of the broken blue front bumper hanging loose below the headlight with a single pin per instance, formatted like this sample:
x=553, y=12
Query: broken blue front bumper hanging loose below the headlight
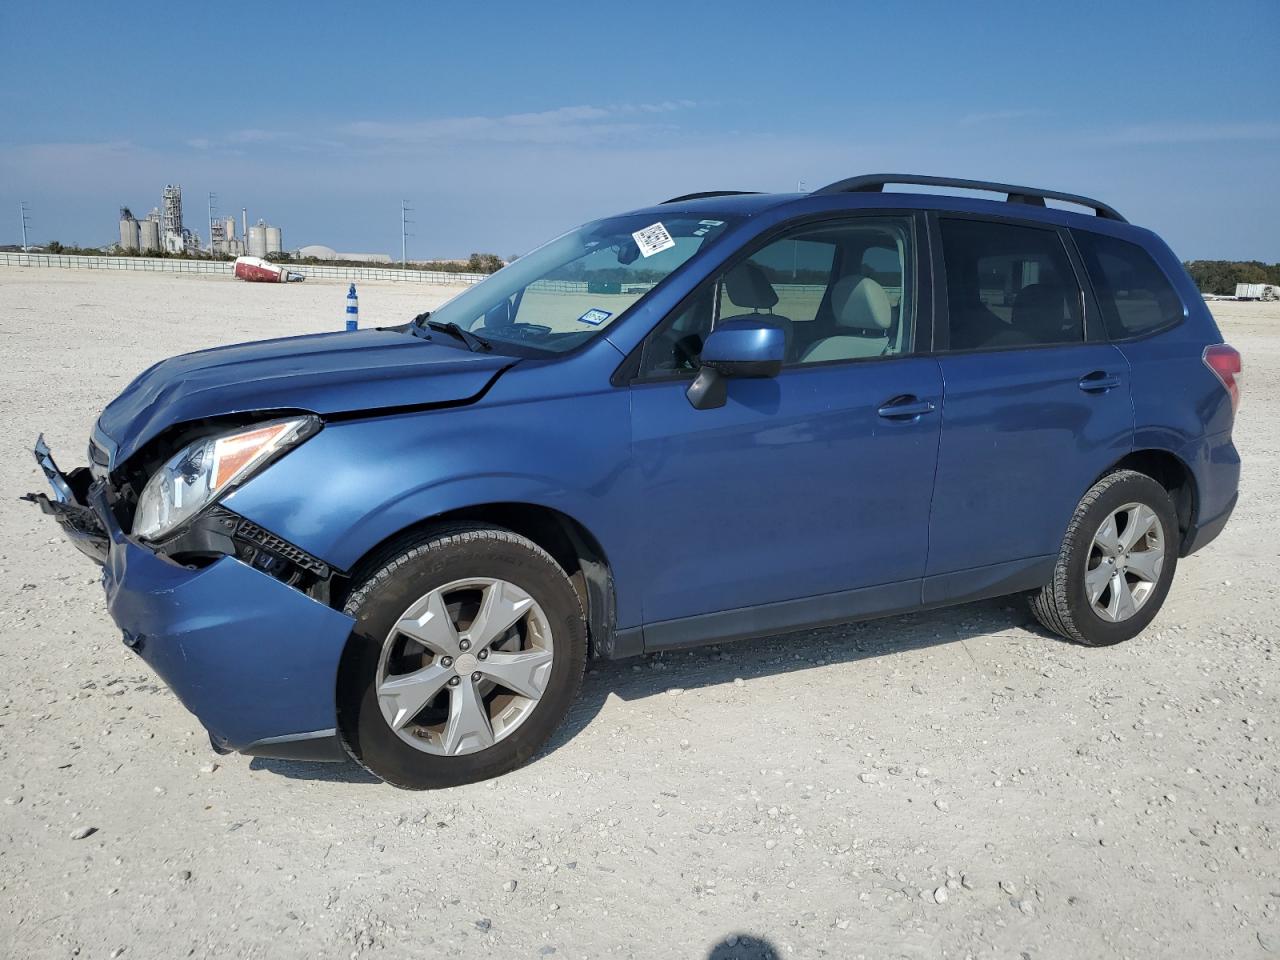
x=253, y=659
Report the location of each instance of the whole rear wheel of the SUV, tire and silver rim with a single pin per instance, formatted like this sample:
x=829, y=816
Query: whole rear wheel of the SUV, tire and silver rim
x=1117, y=564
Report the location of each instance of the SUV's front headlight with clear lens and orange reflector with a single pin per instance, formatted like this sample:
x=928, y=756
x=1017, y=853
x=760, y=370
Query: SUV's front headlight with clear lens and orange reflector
x=200, y=473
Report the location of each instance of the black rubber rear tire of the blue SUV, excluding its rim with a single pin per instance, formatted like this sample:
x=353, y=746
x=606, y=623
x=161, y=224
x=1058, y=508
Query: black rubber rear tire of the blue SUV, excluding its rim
x=1063, y=606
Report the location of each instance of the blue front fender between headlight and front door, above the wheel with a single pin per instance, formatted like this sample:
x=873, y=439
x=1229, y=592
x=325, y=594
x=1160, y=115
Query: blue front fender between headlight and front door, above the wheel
x=358, y=483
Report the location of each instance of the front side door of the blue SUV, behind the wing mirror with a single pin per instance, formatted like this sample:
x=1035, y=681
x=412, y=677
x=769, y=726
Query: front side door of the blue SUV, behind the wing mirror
x=811, y=484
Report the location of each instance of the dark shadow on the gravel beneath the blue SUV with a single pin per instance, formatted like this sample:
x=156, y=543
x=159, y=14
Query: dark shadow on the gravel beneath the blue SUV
x=653, y=675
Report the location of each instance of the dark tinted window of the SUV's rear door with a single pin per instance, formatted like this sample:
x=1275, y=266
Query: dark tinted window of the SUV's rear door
x=1009, y=286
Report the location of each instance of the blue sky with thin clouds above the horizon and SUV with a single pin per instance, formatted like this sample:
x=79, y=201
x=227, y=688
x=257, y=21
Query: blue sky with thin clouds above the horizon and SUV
x=505, y=124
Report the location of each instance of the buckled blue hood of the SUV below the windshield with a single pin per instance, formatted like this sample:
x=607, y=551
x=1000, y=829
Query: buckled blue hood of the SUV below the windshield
x=328, y=373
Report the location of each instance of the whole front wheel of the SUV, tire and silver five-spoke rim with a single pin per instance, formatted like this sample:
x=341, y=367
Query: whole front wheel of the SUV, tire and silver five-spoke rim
x=468, y=651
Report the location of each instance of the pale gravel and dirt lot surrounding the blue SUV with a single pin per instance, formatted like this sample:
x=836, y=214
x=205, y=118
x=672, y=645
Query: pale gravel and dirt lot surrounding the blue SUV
x=953, y=784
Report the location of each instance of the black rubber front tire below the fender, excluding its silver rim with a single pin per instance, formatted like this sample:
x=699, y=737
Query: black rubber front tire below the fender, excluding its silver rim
x=412, y=570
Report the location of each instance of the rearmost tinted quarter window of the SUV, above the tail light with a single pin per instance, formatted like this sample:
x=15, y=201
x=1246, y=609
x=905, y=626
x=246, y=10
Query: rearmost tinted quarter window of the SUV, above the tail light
x=1133, y=294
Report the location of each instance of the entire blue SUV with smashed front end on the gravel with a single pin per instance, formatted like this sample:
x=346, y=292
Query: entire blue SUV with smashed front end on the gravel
x=728, y=415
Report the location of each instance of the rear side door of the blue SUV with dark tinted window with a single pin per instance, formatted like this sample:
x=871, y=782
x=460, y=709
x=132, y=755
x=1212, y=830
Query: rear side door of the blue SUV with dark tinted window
x=1036, y=404
